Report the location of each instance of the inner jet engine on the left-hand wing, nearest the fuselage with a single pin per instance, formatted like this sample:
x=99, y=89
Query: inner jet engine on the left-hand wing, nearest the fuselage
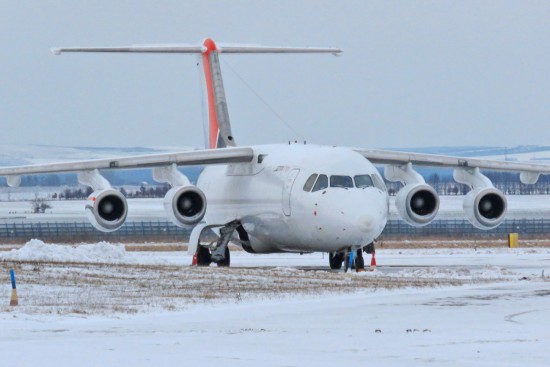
x=185, y=205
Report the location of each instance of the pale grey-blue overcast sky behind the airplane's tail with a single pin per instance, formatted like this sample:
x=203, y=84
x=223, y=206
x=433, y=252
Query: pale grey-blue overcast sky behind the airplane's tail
x=413, y=73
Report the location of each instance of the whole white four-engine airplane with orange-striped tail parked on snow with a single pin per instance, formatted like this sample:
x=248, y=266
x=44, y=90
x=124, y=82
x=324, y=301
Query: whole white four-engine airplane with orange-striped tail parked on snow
x=286, y=197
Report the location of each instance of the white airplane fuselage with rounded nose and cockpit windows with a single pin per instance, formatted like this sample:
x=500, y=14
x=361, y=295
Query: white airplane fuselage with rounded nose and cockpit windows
x=278, y=210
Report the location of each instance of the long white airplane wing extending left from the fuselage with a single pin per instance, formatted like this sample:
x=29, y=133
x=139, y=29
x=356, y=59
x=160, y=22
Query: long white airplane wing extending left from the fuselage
x=187, y=158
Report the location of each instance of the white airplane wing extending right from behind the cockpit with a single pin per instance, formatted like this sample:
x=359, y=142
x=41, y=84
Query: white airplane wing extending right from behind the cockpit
x=433, y=160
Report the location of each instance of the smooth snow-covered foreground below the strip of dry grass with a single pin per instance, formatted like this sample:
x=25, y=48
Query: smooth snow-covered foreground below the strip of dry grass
x=480, y=325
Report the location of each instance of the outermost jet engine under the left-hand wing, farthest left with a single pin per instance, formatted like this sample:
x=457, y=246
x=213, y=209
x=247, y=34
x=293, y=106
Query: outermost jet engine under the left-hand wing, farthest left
x=106, y=210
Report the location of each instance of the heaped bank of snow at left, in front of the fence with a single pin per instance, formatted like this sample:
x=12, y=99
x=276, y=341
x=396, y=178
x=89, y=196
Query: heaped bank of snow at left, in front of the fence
x=36, y=250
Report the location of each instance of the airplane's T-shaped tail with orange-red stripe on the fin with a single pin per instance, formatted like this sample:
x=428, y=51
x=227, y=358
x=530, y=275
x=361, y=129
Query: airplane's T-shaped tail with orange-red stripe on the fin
x=219, y=127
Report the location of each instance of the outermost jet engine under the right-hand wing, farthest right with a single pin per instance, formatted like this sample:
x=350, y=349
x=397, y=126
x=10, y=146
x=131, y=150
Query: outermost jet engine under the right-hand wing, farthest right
x=485, y=207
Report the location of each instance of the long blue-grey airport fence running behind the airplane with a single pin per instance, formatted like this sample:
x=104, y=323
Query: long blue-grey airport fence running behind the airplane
x=144, y=231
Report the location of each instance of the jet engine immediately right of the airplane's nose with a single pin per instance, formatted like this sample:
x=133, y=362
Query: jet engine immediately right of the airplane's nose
x=417, y=204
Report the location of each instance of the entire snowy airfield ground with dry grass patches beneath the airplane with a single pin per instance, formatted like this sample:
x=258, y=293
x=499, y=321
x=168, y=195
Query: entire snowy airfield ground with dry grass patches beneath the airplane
x=98, y=304
